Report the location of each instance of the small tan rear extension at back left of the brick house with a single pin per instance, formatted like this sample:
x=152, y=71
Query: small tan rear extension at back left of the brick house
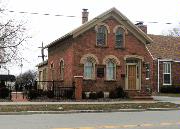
x=42, y=75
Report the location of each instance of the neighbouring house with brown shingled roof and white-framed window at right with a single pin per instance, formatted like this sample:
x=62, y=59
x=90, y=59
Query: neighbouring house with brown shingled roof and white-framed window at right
x=166, y=55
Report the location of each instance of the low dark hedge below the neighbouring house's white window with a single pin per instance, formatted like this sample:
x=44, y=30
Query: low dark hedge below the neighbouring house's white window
x=170, y=89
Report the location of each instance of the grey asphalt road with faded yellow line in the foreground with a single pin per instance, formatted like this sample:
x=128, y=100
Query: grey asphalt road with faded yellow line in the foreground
x=113, y=120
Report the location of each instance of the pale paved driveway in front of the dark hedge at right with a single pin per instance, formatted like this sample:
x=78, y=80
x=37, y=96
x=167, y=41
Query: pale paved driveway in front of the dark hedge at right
x=175, y=100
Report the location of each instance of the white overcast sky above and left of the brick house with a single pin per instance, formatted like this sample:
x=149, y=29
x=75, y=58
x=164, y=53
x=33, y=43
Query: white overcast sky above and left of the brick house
x=47, y=28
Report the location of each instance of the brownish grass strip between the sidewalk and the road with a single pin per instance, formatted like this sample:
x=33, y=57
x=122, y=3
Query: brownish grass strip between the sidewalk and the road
x=68, y=107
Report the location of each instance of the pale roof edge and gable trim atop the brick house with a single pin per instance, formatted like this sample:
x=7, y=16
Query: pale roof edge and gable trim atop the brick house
x=111, y=12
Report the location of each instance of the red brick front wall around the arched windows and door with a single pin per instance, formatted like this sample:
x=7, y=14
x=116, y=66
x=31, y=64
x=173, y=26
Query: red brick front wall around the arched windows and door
x=86, y=43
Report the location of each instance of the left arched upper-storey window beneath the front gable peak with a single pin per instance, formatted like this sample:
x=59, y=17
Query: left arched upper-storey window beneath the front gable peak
x=101, y=35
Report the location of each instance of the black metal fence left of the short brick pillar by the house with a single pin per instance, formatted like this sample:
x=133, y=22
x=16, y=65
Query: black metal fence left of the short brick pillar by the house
x=57, y=88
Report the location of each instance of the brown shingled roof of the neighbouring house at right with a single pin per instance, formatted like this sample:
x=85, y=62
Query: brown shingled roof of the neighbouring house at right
x=165, y=47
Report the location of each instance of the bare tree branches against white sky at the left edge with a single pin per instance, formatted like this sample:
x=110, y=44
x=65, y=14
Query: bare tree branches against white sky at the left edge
x=12, y=35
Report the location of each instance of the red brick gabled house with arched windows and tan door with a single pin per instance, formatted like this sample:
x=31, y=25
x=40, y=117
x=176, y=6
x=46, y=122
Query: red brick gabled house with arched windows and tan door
x=102, y=54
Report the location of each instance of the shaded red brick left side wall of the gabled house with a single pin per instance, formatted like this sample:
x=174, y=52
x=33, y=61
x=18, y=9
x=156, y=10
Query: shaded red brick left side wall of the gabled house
x=64, y=51
